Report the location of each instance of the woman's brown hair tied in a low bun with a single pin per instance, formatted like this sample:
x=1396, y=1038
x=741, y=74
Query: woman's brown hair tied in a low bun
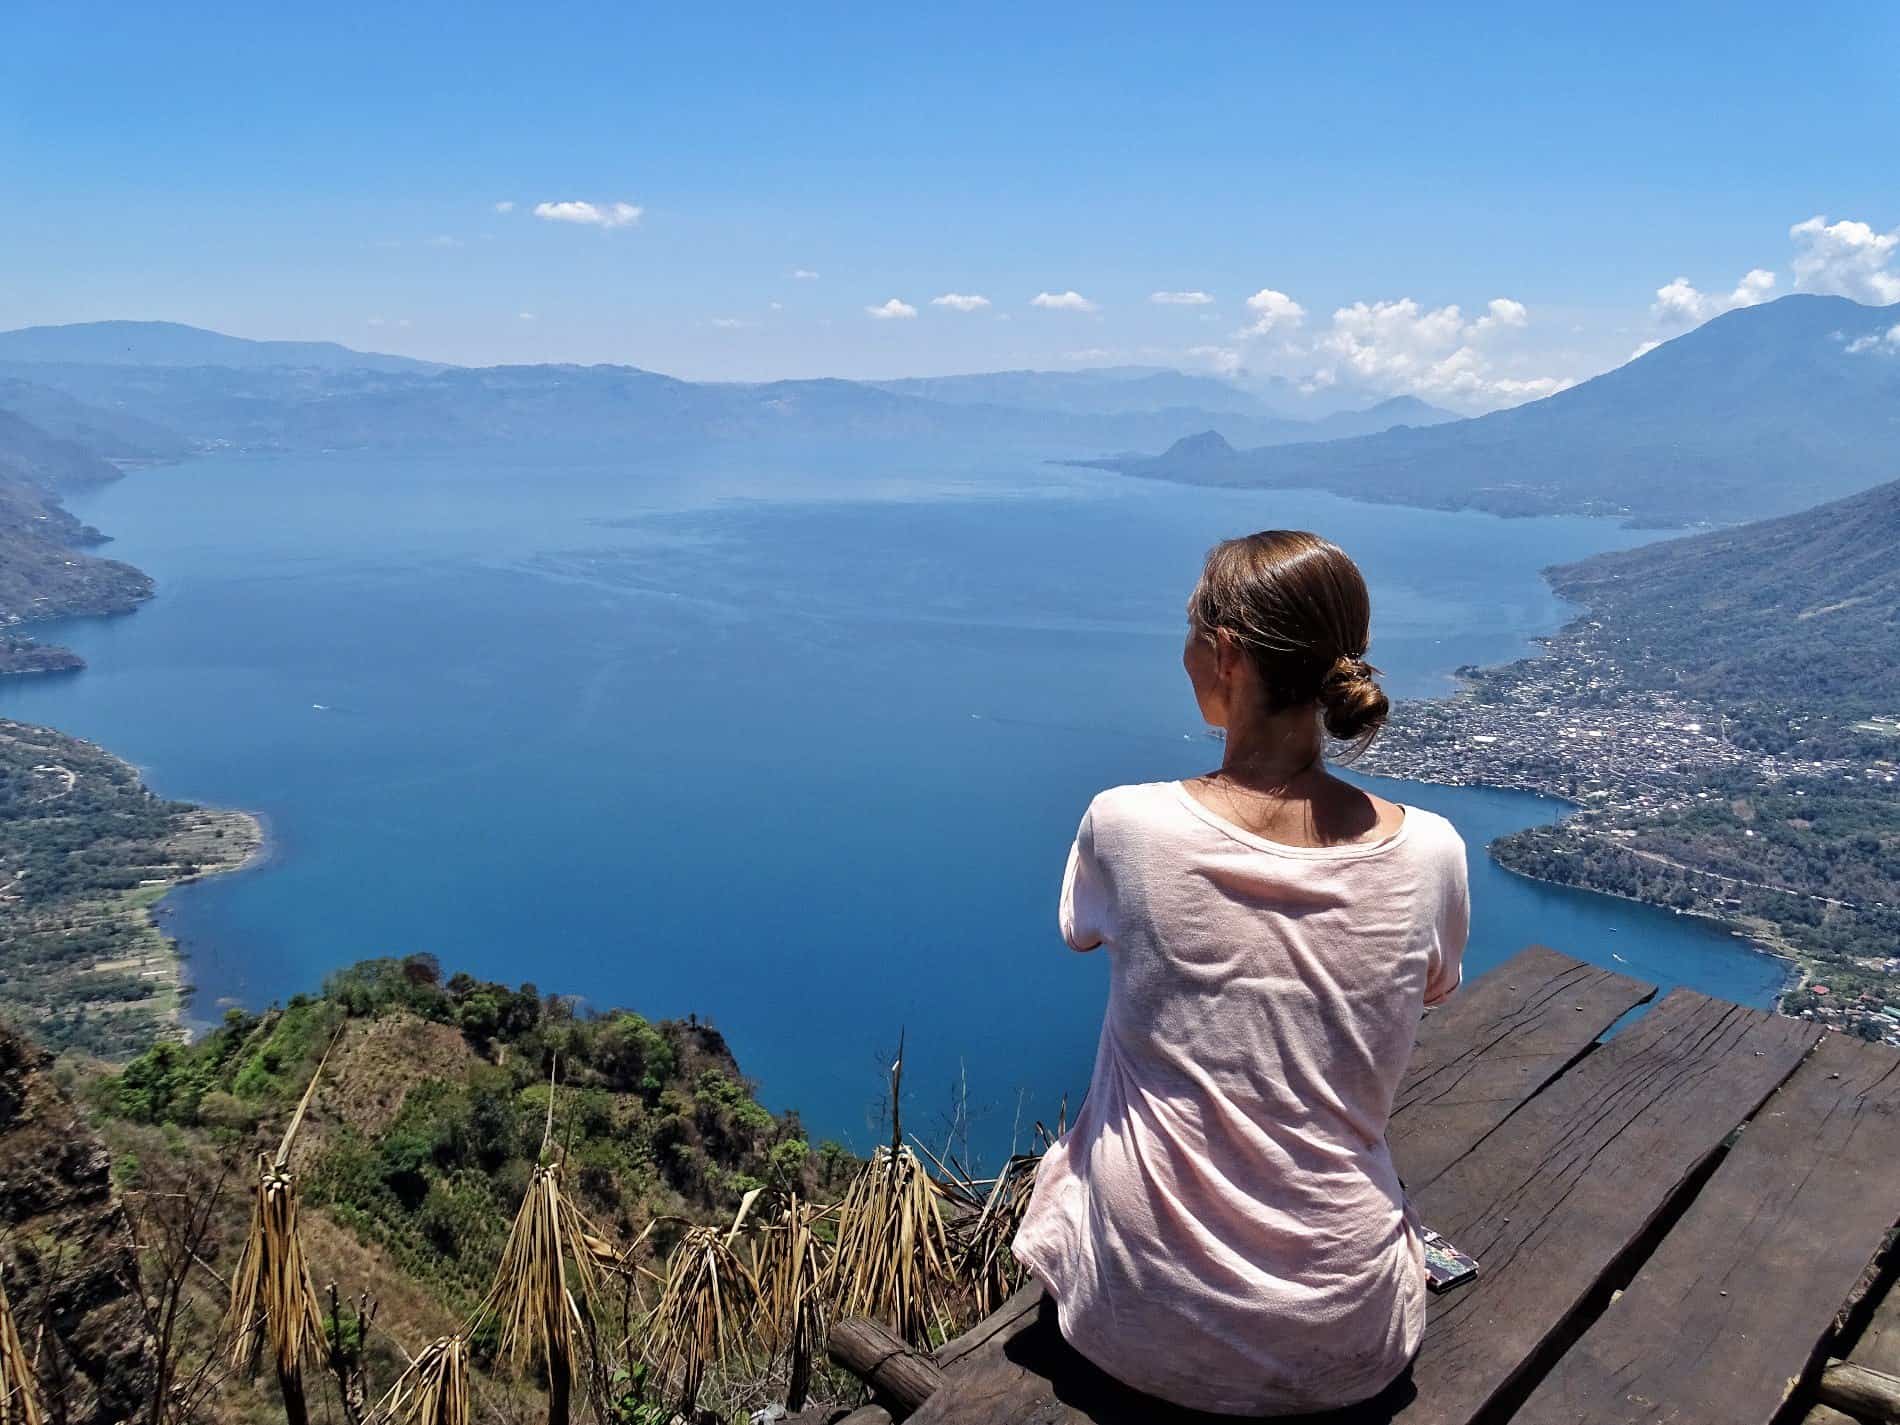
x=1302, y=613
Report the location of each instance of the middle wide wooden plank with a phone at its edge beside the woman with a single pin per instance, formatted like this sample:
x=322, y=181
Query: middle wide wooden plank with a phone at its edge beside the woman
x=1557, y=1194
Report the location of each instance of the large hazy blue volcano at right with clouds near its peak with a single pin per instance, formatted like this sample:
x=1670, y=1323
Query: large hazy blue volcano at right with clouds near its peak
x=1757, y=413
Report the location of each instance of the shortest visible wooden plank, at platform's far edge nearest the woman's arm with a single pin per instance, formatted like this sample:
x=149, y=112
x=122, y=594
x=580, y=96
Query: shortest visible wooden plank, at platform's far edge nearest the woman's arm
x=1492, y=1046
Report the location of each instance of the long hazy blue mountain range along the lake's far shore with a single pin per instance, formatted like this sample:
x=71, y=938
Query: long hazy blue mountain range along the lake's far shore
x=147, y=389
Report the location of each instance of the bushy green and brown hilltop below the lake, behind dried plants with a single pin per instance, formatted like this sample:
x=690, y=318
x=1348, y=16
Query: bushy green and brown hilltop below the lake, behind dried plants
x=430, y=1122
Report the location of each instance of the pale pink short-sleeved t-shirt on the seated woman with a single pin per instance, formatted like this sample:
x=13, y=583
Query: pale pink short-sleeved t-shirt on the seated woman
x=1223, y=1226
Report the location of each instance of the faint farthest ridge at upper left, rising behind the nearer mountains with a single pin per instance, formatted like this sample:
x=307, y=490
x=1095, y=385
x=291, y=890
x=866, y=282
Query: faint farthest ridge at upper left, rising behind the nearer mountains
x=176, y=345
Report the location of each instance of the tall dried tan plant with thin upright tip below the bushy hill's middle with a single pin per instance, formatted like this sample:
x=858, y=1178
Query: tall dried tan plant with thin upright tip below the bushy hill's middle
x=539, y=1312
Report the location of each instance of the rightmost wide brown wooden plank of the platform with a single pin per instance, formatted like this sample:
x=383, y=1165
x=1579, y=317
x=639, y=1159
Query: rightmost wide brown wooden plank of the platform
x=1741, y=1295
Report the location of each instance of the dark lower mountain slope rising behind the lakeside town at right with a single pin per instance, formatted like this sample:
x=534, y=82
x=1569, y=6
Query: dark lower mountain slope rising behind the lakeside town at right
x=1800, y=611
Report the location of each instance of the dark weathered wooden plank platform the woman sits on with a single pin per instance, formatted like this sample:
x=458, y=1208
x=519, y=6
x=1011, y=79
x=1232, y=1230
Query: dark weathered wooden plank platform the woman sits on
x=1673, y=1225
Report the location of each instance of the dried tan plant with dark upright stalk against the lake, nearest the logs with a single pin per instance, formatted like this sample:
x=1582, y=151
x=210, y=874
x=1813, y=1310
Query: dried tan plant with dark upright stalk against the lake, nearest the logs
x=894, y=1259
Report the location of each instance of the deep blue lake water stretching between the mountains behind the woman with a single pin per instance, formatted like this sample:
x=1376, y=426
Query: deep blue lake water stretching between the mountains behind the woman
x=791, y=744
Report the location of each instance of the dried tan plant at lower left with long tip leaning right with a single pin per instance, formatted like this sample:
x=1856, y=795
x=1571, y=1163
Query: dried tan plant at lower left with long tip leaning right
x=273, y=1297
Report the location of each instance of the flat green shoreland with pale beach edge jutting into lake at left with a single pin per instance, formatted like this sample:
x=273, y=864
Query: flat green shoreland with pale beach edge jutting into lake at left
x=85, y=852
